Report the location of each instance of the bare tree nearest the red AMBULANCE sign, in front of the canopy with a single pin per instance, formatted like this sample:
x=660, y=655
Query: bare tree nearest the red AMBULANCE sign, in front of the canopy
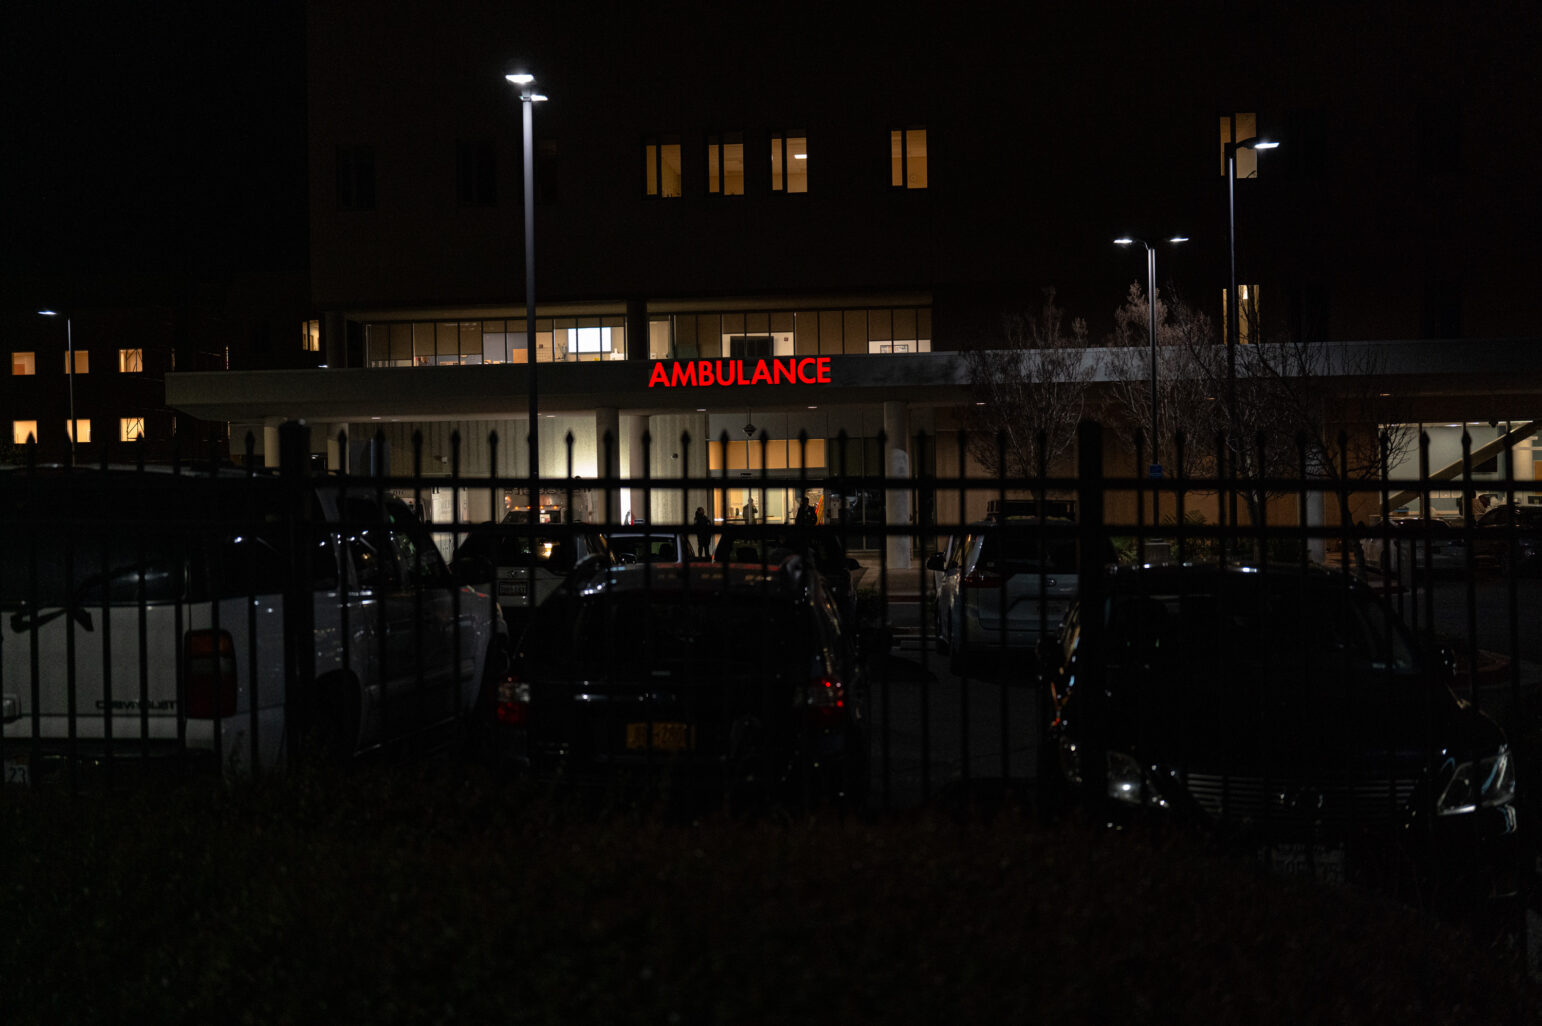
x=1031, y=394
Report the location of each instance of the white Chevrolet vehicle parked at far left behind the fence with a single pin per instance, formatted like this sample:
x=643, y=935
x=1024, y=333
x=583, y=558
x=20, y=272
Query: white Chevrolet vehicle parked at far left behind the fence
x=146, y=619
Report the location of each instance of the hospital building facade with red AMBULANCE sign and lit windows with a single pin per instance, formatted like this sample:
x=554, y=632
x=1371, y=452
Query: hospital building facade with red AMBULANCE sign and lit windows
x=855, y=201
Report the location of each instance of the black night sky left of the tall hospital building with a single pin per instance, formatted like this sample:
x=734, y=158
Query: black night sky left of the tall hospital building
x=166, y=140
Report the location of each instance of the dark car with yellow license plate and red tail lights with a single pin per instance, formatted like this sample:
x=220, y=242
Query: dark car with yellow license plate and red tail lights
x=693, y=680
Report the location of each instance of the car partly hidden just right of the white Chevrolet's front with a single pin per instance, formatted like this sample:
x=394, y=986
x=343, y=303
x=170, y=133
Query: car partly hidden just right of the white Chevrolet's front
x=528, y=564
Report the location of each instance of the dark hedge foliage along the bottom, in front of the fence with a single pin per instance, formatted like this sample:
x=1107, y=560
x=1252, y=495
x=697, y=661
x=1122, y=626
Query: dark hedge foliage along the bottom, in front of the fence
x=434, y=897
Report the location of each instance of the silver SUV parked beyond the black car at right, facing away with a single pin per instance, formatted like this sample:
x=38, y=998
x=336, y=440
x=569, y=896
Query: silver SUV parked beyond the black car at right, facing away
x=1003, y=586
